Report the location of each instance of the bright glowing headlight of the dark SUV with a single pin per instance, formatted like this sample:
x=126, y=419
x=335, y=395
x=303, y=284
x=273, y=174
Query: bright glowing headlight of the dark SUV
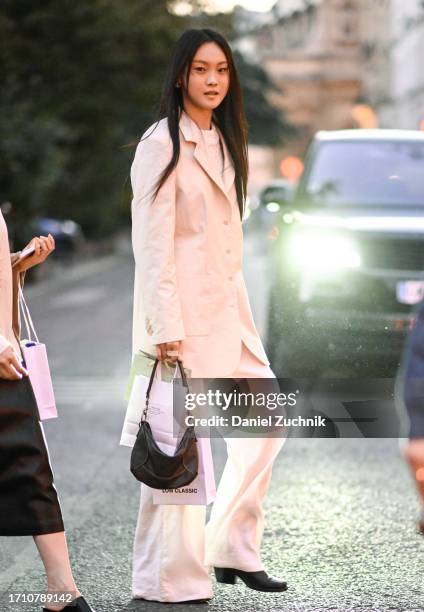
x=323, y=253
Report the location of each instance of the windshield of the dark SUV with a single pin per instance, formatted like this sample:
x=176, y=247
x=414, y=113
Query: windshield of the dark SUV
x=382, y=173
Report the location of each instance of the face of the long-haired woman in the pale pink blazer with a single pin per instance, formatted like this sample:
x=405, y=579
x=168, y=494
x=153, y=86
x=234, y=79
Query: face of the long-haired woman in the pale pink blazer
x=209, y=78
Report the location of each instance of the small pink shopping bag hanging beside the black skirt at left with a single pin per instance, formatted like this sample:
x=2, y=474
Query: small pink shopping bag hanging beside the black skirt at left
x=37, y=364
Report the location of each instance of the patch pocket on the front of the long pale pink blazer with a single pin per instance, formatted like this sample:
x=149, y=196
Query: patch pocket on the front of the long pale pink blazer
x=195, y=299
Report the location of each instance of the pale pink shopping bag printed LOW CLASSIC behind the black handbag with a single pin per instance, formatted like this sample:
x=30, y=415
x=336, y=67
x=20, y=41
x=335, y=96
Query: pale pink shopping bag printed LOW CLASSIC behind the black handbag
x=200, y=492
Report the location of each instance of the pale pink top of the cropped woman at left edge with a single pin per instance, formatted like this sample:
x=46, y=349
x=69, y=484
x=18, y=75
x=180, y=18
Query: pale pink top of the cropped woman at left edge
x=9, y=320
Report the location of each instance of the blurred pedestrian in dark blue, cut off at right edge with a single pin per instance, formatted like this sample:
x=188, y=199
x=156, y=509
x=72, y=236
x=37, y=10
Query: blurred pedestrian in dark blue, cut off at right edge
x=413, y=397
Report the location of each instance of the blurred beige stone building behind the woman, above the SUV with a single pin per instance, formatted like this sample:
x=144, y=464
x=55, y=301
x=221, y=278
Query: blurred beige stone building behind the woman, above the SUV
x=312, y=50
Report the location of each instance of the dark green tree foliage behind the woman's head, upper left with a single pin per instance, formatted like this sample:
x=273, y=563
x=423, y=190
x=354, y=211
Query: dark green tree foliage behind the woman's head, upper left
x=80, y=79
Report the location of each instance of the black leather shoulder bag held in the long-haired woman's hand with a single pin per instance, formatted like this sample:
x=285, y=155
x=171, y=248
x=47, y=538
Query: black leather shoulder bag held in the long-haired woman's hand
x=154, y=467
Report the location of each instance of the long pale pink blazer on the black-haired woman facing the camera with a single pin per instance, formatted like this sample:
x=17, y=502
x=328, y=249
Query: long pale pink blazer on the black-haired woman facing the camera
x=188, y=245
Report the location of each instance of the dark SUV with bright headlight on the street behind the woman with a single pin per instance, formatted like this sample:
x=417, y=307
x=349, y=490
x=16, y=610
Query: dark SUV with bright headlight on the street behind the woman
x=348, y=264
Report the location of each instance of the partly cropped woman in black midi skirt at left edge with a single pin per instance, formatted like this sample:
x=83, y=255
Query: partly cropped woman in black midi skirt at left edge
x=28, y=499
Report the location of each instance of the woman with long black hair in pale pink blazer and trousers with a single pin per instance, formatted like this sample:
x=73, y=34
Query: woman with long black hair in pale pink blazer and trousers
x=189, y=181
